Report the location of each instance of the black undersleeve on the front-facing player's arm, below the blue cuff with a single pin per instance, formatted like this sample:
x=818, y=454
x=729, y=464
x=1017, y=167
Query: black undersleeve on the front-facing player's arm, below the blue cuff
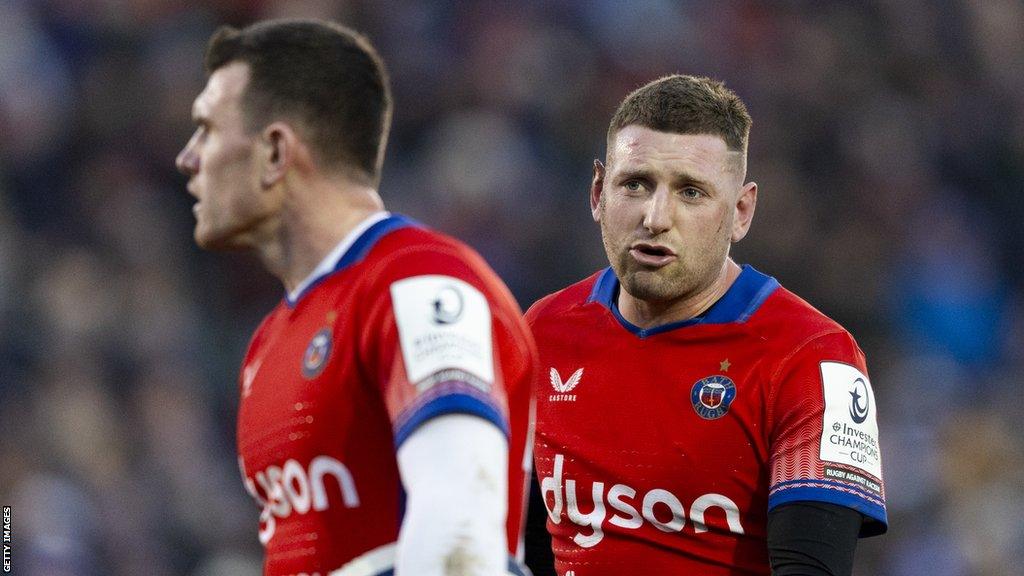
x=810, y=539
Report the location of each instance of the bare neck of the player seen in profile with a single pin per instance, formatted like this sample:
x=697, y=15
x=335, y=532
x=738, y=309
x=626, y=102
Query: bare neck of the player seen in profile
x=313, y=223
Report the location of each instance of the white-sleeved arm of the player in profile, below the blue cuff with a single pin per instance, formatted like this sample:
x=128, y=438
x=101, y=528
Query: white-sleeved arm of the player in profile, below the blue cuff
x=455, y=471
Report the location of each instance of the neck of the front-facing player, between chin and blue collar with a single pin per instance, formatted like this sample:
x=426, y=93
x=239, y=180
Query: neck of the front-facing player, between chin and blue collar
x=645, y=314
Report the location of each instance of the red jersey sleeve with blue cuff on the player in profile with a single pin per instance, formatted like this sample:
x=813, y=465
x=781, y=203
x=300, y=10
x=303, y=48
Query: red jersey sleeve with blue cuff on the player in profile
x=436, y=340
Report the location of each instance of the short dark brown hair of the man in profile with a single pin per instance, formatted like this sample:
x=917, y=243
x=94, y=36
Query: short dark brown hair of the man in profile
x=322, y=75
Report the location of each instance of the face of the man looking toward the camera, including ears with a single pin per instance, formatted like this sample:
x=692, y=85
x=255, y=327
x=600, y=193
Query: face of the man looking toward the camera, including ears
x=669, y=207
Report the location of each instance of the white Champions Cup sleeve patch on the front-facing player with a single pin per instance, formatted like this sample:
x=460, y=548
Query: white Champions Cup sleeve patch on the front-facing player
x=850, y=430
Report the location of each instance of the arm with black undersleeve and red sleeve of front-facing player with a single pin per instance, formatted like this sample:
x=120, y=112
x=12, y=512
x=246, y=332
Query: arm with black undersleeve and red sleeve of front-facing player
x=826, y=487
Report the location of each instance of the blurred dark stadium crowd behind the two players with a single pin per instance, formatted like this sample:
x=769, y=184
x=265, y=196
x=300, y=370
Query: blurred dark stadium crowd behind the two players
x=888, y=144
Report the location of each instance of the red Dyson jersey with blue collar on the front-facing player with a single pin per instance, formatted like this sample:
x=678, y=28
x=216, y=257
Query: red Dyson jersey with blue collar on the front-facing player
x=662, y=450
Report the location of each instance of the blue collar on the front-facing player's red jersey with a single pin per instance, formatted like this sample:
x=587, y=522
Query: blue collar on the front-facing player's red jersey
x=742, y=300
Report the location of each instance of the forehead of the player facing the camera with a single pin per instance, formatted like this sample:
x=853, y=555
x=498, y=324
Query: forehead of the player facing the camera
x=638, y=148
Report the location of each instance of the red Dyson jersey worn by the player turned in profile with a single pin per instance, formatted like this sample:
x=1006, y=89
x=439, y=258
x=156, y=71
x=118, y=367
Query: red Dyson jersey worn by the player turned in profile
x=404, y=325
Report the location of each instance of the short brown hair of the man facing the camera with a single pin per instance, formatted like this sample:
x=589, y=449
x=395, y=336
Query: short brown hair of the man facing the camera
x=687, y=105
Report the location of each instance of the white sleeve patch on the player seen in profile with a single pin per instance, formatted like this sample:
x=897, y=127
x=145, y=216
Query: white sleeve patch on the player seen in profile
x=444, y=323
